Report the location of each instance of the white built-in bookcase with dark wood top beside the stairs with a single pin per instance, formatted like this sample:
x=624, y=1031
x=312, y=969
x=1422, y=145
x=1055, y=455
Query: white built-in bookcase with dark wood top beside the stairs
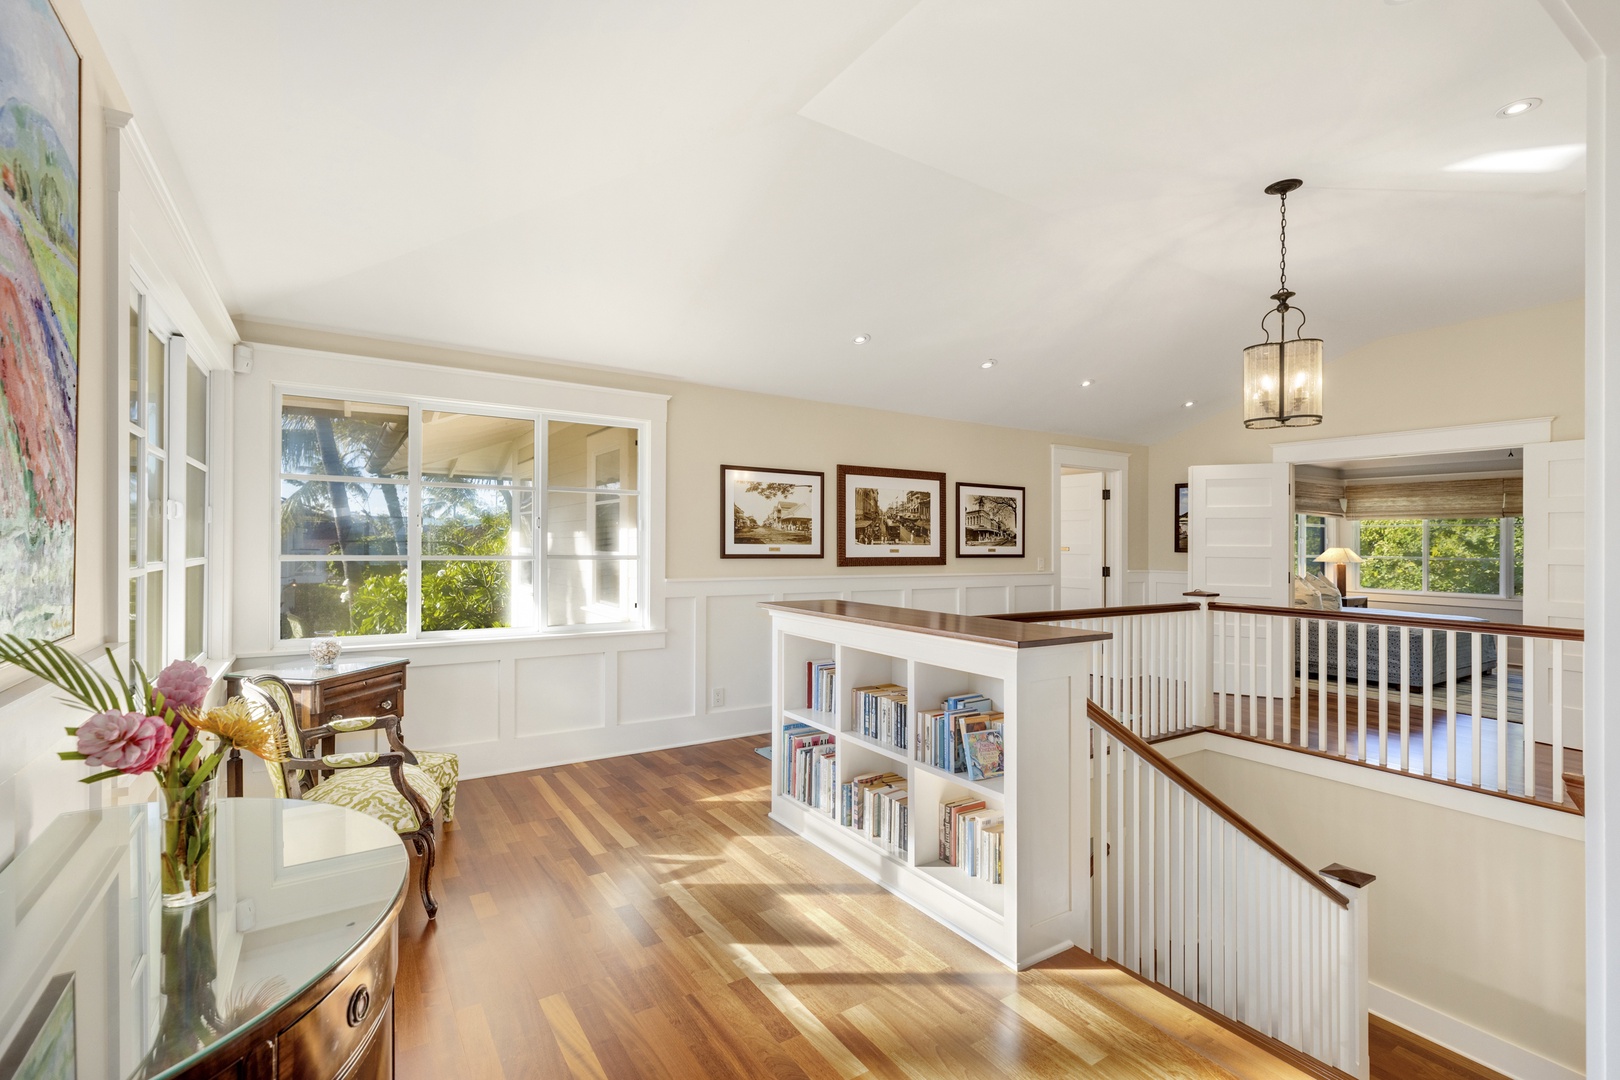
x=1038, y=678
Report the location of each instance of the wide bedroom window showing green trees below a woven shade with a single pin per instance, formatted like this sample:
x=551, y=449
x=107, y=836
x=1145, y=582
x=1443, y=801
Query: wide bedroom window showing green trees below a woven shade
x=1449, y=556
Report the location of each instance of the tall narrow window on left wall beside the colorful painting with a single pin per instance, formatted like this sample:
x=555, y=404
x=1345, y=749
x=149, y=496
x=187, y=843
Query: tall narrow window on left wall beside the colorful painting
x=168, y=432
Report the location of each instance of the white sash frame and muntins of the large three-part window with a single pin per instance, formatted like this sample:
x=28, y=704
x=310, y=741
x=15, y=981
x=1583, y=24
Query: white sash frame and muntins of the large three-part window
x=542, y=417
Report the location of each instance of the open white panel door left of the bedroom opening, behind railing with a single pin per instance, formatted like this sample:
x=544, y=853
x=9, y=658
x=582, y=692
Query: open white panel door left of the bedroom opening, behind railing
x=1240, y=545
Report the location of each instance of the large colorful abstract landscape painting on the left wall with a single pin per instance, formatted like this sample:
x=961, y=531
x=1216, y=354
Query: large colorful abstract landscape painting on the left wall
x=40, y=318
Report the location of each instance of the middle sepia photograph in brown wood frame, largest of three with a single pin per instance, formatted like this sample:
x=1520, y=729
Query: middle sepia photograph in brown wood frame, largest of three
x=890, y=517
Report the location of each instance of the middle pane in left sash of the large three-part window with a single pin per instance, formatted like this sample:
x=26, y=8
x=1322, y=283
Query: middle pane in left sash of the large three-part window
x=328, y=519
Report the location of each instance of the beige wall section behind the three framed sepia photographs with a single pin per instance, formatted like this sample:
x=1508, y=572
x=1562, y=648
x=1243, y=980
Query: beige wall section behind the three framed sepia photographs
x=710, y=427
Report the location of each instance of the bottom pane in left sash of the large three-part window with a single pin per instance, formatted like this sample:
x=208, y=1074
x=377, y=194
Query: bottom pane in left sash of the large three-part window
x=343, y=598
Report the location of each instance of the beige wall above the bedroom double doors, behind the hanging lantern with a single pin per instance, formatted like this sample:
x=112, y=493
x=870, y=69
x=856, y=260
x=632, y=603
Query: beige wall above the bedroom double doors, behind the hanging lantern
x=1509, y=367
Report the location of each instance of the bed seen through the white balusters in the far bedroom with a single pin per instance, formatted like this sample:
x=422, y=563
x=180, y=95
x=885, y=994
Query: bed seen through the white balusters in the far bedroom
x=1388, y=661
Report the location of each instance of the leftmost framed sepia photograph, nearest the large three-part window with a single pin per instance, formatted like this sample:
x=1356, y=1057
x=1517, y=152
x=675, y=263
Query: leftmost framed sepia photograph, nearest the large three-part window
x=772, y=514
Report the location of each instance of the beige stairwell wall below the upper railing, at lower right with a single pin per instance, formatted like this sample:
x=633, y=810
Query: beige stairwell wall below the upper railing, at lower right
x=1473, y=917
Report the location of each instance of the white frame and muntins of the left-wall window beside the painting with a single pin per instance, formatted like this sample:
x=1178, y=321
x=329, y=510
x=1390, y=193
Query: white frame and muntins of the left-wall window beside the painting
x=173, y=561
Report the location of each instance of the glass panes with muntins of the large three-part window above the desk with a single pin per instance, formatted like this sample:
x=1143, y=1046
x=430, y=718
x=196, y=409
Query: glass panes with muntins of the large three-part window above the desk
x=403, y=521
